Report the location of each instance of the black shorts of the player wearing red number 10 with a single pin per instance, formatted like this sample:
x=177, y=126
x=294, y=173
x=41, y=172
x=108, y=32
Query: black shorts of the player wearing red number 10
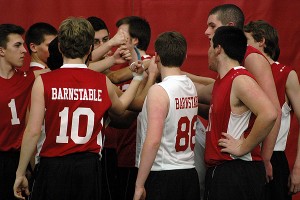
x=71, y=177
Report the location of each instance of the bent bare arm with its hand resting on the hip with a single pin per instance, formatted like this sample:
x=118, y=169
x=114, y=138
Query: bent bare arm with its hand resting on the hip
x=246, y=94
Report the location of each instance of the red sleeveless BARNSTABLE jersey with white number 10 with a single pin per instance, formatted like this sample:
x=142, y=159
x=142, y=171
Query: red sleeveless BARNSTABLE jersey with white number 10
x=76, y=99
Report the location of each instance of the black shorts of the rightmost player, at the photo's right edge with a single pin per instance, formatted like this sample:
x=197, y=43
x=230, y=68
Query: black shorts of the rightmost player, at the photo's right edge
x=277, y=189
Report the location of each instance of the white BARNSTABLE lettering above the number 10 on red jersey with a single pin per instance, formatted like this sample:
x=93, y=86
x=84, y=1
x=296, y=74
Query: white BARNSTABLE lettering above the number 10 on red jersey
x=76, y=94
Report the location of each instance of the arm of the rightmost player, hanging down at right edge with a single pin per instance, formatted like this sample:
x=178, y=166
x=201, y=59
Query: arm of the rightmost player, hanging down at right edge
x=293, y=94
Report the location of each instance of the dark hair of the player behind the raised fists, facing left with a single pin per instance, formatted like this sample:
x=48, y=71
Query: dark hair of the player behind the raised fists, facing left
x=138, y=28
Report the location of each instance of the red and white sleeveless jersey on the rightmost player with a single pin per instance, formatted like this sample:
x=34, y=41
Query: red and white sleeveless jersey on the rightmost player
x=280, y=74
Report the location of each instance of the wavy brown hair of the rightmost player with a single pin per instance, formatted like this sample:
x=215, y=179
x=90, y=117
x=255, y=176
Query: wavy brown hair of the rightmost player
x=261, y=29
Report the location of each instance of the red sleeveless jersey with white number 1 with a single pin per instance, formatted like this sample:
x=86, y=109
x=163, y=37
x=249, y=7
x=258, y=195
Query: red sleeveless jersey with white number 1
x=14, y=99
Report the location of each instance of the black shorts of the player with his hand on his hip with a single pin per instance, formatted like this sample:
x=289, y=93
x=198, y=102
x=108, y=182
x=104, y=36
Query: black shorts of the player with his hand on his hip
x=235, y=179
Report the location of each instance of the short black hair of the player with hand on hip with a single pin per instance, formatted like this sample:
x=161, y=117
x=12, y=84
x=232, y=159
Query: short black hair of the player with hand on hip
x=232, y=40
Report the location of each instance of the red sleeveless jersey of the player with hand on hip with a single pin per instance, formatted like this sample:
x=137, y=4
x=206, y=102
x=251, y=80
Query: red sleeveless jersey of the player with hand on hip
x=221, y=119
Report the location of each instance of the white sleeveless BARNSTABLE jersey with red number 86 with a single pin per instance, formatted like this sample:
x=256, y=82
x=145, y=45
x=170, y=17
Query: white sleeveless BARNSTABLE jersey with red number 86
x=178, y=138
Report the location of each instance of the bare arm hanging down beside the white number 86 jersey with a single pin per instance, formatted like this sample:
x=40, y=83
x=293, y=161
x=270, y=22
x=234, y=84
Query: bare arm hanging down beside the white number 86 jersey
x=157, y=113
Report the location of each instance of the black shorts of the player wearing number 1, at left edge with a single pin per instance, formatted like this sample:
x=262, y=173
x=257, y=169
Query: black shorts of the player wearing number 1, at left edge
x=8, y=166
